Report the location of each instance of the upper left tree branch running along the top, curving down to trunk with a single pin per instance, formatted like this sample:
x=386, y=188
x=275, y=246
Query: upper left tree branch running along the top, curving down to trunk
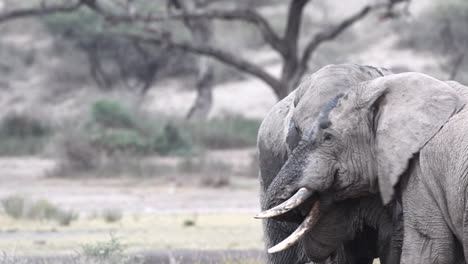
x=245, y=15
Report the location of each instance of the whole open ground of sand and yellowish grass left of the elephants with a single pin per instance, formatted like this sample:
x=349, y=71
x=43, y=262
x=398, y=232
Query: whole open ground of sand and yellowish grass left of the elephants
x=155, y=216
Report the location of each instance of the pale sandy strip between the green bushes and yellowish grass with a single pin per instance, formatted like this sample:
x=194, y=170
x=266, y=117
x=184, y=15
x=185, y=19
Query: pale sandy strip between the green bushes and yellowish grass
x=28, y=176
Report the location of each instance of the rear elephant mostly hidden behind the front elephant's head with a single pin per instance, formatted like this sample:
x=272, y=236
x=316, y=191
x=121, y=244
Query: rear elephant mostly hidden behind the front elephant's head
x=352, y=231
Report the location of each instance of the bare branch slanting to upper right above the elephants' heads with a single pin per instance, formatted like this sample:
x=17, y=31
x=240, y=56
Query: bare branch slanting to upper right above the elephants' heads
x=321, y=37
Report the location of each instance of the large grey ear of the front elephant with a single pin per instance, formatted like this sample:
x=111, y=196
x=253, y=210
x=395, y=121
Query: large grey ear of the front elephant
x=407, y=110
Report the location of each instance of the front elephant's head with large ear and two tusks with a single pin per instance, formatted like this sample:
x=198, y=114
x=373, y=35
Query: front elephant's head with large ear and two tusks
x=360, y=145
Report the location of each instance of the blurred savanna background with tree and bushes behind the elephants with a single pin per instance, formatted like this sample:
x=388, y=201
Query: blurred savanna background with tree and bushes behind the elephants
x=128, y=127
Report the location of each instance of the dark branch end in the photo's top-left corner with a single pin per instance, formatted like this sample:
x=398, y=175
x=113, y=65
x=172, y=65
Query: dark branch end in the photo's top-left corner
x=38, y=11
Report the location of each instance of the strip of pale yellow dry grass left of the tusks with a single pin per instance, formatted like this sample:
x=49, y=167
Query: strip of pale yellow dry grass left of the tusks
x=212, y=231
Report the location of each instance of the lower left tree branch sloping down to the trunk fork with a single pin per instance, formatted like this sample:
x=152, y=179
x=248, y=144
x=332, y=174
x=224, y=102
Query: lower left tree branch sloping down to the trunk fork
x=221, y=55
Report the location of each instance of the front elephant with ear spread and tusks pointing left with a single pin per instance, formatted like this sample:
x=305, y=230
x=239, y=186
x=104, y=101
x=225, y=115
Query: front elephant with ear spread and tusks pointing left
x=401, y=137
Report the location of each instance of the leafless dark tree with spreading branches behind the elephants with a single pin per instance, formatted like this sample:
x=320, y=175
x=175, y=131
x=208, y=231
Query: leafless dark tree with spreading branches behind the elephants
x=196, y=15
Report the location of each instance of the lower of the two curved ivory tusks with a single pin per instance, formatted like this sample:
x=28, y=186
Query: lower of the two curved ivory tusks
x=306, y=225
